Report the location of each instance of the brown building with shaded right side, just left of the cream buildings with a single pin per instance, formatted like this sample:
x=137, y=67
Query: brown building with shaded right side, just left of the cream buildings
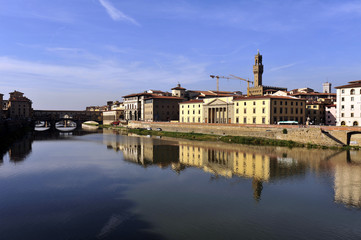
x=161, y=108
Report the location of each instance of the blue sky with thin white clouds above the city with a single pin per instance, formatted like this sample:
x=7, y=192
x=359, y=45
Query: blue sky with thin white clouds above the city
x=68, y=54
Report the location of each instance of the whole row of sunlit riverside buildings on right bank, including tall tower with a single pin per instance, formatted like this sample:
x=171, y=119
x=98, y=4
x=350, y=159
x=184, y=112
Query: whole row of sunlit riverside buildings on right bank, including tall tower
x=263, y=105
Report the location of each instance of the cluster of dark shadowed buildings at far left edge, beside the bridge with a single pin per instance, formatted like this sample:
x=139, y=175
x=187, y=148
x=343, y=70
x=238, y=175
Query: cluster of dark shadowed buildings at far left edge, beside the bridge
x=17, y=107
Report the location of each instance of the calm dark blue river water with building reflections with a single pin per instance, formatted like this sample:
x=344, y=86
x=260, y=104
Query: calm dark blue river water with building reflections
x=105, y=185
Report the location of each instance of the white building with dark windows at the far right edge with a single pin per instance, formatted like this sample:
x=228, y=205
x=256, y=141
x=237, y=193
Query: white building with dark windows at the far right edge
x=348, y=104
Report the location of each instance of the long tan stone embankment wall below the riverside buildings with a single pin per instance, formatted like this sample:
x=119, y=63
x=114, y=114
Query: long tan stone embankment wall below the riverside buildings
x=321, y=135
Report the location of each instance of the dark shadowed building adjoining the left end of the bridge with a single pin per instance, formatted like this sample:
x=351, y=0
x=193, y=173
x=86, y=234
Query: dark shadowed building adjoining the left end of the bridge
x=19, y=106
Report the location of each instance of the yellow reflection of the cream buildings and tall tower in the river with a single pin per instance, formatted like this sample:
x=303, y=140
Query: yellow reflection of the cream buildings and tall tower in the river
x=228, y=163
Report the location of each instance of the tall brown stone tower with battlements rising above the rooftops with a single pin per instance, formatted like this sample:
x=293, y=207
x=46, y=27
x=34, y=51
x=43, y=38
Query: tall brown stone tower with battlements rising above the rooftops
x=259, y=89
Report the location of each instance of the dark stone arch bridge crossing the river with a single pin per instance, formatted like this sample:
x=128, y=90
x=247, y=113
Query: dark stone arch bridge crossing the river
x=53, y=116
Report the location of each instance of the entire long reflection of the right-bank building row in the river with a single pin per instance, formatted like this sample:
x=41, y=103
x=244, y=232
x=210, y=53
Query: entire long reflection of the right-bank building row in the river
x=261, y=164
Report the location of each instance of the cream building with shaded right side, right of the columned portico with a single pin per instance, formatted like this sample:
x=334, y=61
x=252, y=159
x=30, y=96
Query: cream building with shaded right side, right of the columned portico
x=269, y=110
